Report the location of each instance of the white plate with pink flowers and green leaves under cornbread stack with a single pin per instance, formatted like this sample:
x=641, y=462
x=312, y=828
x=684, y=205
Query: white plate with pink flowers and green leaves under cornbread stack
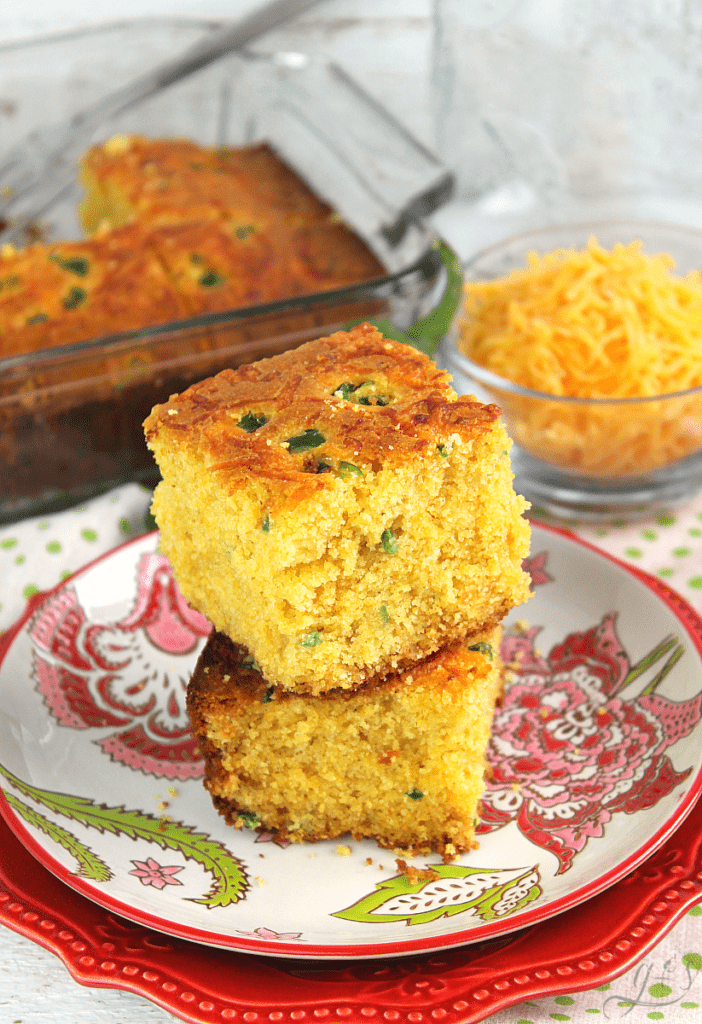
x=596, y=760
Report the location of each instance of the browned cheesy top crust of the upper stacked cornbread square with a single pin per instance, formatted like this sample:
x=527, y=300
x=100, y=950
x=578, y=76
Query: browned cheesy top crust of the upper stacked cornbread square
x=331, y=408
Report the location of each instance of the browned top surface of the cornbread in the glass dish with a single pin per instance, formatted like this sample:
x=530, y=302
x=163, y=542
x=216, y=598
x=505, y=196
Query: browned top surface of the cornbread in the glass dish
x=180, y=231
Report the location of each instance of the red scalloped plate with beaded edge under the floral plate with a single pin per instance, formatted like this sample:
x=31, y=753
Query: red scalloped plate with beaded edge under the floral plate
x=580, y=950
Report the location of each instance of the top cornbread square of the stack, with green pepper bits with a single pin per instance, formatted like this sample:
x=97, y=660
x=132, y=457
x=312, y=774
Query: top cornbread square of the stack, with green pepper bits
x=339, y=510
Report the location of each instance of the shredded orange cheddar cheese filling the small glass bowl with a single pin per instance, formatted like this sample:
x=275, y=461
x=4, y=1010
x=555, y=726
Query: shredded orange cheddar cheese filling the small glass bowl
x=595, y=324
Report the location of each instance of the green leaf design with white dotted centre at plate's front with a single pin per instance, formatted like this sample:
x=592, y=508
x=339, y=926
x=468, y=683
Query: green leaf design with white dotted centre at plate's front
x=488, y=894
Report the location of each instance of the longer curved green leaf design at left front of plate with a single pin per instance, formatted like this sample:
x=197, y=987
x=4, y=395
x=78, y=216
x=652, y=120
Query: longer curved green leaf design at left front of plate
x=230, y=881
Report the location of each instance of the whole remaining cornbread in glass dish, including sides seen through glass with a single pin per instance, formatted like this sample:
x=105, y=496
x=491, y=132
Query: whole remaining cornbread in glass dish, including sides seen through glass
x=179, y=233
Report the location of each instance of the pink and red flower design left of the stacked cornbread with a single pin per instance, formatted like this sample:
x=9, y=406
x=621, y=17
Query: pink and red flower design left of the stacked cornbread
x=128, y=677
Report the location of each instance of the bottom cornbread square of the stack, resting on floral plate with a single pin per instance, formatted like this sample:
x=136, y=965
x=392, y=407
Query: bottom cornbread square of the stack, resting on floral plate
x=401, y=761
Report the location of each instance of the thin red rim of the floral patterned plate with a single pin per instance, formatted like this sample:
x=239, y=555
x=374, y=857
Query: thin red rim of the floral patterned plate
x=684, y=613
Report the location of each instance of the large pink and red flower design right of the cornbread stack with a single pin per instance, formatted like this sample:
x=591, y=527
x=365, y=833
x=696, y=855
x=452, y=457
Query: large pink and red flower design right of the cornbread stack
x=568, y=752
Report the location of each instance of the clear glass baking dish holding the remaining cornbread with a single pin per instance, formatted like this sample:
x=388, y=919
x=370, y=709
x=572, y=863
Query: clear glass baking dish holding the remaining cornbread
x=71, y=418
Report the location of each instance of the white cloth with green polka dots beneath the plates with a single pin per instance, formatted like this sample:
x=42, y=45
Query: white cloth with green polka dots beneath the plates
x=667, y=986
